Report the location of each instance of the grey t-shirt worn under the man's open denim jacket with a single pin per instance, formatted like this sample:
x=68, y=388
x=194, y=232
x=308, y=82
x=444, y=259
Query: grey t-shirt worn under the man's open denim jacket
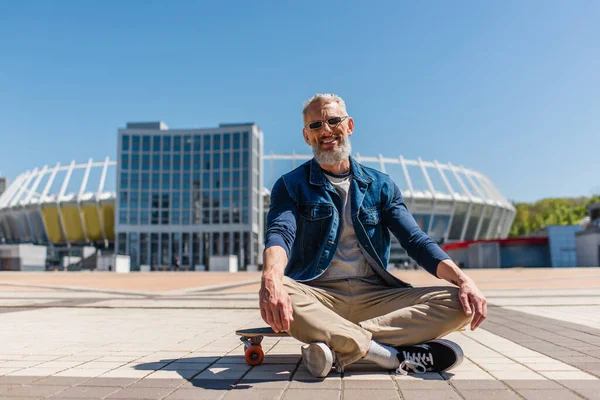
x=349, y=261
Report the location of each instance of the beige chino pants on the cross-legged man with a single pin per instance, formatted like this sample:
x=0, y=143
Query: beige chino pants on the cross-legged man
x=348, y=313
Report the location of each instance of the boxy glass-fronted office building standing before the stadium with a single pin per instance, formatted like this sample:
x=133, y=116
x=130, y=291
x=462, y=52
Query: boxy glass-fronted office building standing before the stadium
x=186, y=195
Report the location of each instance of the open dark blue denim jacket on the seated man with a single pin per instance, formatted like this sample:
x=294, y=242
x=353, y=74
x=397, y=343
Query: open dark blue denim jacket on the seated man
x=304, y=219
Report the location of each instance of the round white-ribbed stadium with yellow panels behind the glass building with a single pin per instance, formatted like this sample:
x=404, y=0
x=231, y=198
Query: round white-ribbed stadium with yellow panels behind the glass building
x=74, y=205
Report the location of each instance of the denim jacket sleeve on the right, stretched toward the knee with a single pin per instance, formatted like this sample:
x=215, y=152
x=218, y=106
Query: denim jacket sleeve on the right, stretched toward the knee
x=420, y=247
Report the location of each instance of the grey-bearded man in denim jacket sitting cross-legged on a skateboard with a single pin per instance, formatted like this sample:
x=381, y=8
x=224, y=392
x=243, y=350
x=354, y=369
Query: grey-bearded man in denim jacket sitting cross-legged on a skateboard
x=327, y=247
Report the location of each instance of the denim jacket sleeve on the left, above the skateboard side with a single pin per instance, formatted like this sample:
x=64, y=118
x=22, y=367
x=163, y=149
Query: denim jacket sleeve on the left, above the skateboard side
x=281, y=219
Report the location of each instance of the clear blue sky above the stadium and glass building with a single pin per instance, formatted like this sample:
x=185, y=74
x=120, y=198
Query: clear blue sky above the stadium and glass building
x=510, y=89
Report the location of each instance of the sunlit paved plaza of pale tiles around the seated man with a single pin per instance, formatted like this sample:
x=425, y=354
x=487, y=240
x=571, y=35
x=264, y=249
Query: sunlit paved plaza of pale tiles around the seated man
x=170, y=335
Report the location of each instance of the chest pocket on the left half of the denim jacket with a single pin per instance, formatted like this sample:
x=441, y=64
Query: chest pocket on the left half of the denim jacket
x=315, y=220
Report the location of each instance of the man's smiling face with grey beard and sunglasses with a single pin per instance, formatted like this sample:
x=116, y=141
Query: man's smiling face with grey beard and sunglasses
x=330, y=143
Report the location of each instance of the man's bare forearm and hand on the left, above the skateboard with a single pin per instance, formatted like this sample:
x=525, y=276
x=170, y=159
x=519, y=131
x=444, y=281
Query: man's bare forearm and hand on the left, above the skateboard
x=275, y=304
